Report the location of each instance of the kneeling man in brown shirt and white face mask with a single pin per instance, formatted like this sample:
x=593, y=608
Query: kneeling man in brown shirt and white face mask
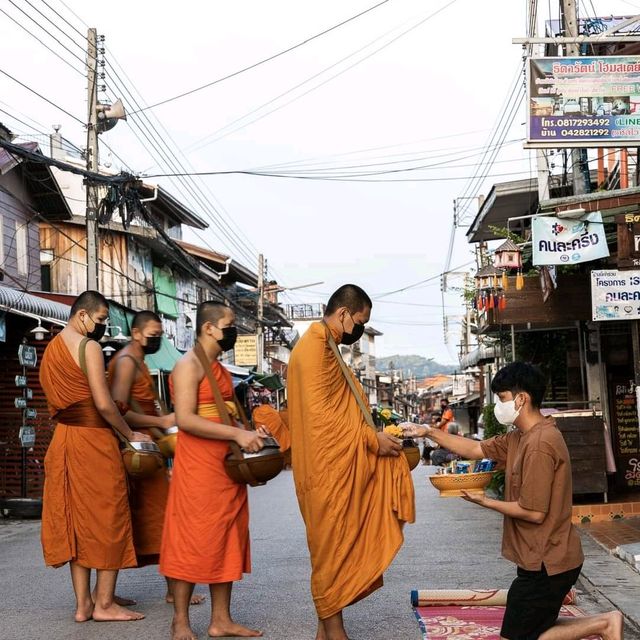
x=538, y=535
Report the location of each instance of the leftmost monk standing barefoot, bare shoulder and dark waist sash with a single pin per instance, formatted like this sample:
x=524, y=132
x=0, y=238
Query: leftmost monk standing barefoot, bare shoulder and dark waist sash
x=85, y=513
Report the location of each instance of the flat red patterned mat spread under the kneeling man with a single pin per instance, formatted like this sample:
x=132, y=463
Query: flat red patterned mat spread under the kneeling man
x=467, y=622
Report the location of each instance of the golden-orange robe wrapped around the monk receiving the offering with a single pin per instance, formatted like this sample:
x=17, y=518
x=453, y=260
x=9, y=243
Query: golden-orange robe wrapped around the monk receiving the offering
x=353, y=502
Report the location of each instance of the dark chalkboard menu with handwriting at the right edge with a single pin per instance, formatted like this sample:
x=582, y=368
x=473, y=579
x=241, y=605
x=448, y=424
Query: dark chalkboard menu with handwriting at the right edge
x=624, y=418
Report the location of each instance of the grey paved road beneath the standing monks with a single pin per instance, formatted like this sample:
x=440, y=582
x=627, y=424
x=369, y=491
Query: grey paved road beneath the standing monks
x=452, y=544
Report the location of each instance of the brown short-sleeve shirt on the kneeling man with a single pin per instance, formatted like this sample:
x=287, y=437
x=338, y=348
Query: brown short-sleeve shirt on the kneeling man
x=538, y=477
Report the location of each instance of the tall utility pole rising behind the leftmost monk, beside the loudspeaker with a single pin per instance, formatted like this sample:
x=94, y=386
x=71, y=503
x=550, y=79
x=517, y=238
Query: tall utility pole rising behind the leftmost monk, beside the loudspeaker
x=93, y=280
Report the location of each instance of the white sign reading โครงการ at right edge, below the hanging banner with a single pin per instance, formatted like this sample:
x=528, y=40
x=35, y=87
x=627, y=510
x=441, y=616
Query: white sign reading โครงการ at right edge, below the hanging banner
x=615, y=295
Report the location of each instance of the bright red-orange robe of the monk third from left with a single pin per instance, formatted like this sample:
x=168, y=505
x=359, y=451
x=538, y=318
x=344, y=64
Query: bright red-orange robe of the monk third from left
x=206, y=528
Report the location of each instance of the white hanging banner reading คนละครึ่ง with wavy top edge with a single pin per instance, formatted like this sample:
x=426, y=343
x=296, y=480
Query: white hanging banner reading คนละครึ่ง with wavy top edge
x=564, y=241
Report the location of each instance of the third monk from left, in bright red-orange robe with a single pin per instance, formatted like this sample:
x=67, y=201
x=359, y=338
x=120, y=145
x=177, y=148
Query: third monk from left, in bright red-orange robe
x=206, y=529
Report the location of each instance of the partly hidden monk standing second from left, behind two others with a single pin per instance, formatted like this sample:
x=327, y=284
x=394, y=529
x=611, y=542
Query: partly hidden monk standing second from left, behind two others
x=133, y=390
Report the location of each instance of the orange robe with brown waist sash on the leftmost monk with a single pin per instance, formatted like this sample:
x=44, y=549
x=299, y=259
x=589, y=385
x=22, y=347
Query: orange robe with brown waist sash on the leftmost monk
x=85, y=510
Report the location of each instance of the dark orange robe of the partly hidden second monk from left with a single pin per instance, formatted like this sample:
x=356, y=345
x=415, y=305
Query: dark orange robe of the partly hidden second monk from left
x=147, y=496
